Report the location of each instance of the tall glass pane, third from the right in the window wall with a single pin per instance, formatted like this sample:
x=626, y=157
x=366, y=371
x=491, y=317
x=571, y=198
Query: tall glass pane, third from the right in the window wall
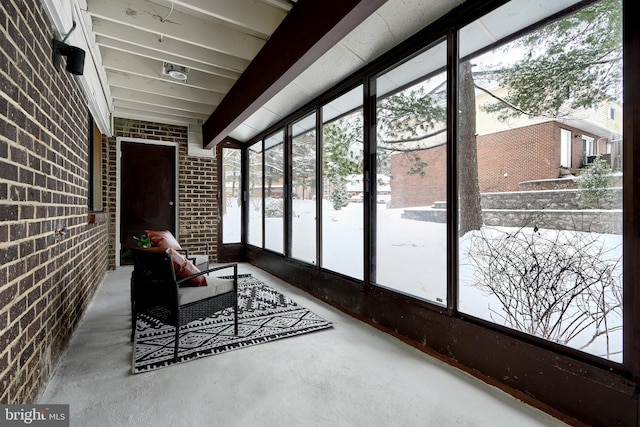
x=342, y=207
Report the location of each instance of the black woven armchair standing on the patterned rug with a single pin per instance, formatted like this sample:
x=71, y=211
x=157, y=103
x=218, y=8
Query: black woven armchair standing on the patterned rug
x=155, y=292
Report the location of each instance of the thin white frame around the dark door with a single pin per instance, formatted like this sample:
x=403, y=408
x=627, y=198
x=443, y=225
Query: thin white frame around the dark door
x=119, y=141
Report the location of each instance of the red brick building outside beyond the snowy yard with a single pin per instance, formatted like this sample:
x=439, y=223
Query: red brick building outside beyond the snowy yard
x=505, y=159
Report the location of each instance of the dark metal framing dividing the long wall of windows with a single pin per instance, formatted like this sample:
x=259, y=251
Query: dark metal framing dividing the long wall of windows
x=447, y=28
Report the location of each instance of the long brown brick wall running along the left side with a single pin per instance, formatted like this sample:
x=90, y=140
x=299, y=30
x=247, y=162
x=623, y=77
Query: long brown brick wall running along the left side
x=46, y=281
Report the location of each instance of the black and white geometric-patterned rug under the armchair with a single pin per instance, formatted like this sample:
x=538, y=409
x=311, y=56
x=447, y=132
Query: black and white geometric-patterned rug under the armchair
x=264, y=314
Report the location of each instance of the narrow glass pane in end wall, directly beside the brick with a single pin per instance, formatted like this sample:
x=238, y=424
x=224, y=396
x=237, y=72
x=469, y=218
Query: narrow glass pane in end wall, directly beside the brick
x=231, y=200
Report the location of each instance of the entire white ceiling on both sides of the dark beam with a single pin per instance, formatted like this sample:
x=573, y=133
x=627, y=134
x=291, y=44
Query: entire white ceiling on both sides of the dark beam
x=216, y=40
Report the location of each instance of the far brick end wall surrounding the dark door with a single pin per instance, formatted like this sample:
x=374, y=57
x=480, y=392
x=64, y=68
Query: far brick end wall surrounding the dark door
x=197, y=183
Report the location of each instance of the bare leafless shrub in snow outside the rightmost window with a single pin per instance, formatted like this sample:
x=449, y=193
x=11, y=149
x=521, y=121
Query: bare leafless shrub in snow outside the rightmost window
x=552, y=284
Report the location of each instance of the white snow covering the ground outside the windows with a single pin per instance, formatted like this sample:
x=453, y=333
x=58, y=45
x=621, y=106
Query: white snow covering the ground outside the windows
x=411, y=259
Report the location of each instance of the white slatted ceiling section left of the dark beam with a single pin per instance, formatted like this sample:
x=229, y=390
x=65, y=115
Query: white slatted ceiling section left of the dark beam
x=214, y=39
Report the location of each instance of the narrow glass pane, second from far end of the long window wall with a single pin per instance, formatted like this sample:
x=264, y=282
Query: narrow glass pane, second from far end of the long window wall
x=274, y=192
